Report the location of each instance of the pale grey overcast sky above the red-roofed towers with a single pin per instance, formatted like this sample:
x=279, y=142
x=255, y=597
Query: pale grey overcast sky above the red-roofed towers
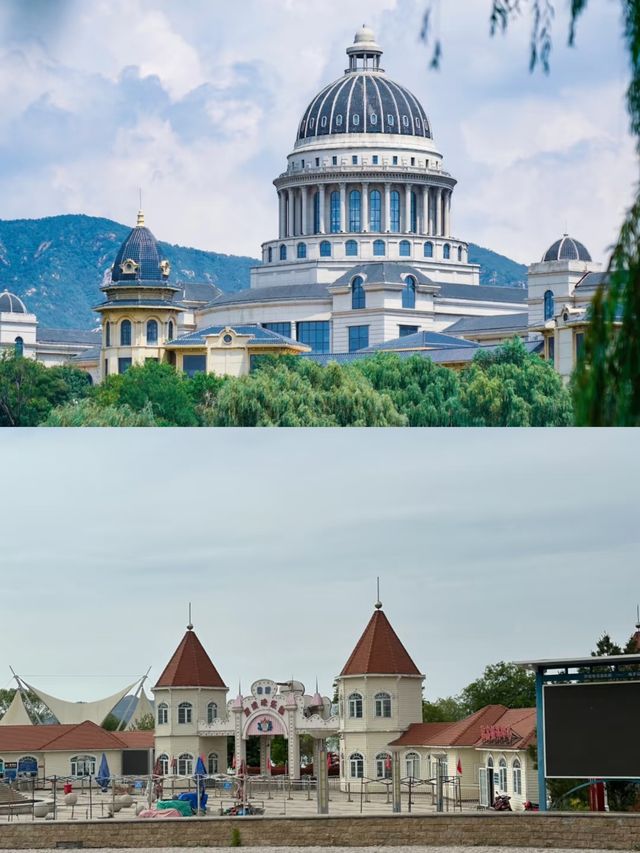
x=490, y=545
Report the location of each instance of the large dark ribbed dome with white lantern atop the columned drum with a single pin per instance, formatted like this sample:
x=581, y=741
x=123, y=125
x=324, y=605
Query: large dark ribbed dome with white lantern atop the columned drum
x=364, y=100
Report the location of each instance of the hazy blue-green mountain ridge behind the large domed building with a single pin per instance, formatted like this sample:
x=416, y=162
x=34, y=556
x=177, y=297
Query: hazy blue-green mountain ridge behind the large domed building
x=57, y=265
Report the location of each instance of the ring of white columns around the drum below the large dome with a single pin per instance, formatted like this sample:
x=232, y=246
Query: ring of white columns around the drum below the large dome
x=300, y=217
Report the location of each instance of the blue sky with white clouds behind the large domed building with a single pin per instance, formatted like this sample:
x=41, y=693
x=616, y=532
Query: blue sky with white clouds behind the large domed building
x=198, y=103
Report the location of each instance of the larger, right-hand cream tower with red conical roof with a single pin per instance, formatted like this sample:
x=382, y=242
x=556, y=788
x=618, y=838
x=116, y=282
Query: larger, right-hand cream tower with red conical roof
x=379, y=697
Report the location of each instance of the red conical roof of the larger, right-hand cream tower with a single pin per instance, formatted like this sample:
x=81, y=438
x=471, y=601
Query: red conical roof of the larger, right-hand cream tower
x=380, y=651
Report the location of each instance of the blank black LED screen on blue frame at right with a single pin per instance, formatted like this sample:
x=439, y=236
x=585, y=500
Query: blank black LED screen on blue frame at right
x=592, y=730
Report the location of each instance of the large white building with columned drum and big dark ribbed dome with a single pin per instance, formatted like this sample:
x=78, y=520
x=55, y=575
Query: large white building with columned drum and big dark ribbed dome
x=366, y=252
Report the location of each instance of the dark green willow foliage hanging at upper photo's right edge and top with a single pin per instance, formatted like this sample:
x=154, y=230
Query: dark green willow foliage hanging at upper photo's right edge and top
x=606, y=382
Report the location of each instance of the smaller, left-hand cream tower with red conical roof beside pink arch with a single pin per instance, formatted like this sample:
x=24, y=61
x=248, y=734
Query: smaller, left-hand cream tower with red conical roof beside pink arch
x=189, y=693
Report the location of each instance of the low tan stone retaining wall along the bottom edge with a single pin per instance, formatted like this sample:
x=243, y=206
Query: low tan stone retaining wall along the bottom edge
x=516, y=829
